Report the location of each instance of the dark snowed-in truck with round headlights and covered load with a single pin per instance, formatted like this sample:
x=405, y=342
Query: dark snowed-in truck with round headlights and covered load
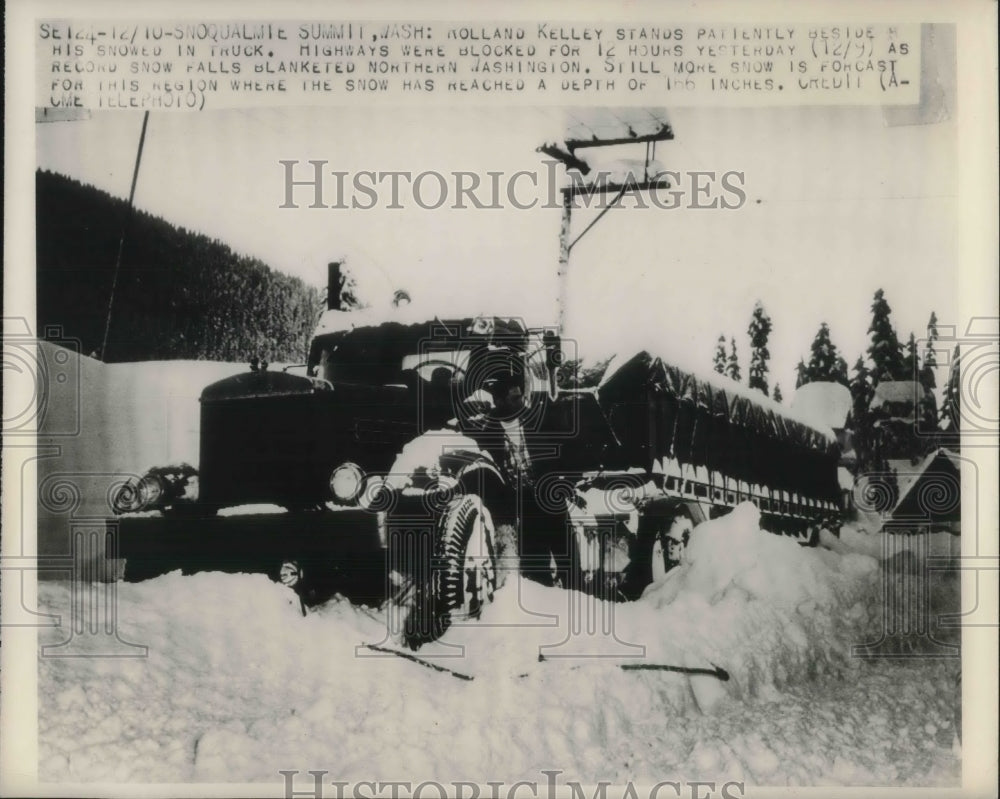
x=384, y=471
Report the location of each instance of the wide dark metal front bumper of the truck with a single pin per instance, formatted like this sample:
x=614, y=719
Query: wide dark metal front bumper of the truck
x=339, y=550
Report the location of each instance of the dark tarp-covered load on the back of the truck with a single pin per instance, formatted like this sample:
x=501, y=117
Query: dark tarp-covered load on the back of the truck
x=659, y=411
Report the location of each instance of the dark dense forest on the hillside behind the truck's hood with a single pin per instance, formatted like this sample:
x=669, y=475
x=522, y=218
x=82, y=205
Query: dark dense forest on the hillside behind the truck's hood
x=179, y=294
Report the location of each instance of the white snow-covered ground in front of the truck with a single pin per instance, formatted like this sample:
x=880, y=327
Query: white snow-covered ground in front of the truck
x=238, y=684
